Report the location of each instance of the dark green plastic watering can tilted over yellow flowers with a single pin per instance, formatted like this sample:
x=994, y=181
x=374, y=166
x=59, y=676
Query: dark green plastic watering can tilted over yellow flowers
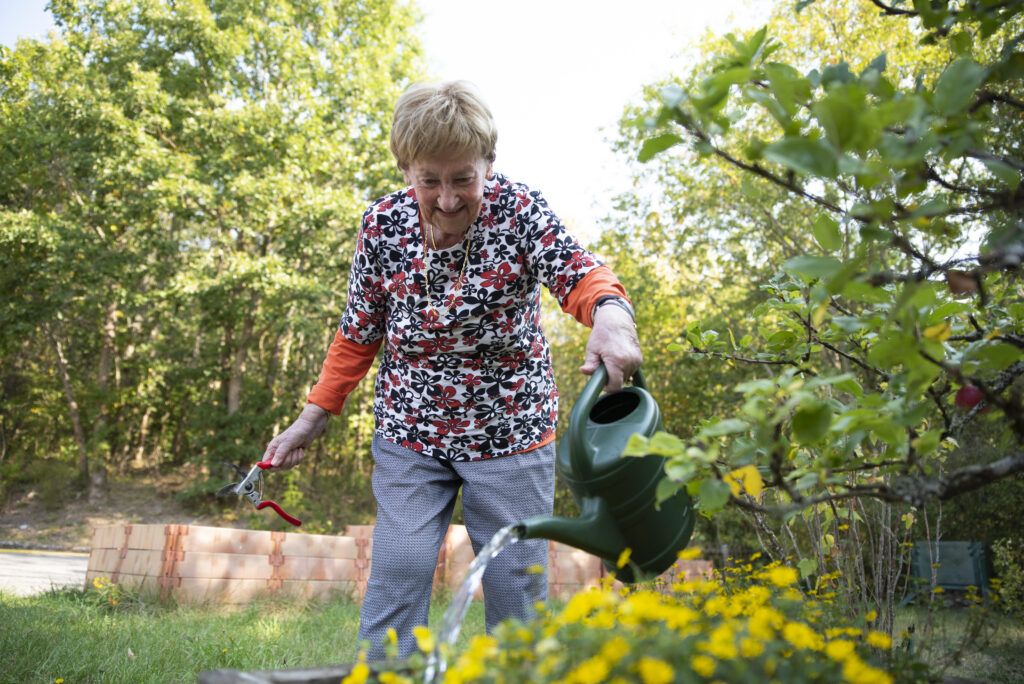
x=616, y=495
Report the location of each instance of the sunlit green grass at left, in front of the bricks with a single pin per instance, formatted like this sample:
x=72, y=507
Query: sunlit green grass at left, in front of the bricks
x=80, y=637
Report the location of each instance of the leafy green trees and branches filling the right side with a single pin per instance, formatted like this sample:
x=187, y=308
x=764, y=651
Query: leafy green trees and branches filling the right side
x=887, y=190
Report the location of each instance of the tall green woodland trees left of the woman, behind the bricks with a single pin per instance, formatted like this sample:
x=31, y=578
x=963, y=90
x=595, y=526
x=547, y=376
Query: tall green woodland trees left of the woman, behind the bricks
x=180, y=191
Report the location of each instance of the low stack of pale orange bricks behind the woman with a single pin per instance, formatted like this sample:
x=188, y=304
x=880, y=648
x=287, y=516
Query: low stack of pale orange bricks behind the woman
x=228, y=566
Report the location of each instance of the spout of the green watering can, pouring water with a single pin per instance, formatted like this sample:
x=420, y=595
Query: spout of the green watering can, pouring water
x=594, y=532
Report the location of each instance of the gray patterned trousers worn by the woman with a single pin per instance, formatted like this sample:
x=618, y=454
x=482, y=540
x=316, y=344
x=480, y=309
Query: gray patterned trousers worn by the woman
x=415, y=498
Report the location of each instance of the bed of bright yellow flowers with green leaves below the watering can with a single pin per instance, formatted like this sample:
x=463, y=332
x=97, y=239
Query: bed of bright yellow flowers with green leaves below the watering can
x=748, y=625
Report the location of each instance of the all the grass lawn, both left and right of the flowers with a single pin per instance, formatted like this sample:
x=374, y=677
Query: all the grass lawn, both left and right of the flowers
x=82, y=636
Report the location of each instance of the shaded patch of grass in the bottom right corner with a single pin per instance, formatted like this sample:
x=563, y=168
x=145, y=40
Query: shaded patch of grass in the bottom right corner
x=956, y=645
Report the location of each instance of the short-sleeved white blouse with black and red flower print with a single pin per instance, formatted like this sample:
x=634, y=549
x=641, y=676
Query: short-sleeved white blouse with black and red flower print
x=476, y=382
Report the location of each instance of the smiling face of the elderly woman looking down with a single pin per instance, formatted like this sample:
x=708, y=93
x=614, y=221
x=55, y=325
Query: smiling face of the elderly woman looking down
x=450, y=191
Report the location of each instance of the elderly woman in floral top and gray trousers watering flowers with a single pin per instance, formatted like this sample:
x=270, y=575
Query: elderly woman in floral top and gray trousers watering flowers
x=447, y=277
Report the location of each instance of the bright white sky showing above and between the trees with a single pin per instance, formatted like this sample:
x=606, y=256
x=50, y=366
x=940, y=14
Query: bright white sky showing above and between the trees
x=558, y=75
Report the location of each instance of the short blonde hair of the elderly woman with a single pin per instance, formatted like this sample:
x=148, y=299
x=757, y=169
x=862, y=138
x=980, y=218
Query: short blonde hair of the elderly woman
x=448, y=118
